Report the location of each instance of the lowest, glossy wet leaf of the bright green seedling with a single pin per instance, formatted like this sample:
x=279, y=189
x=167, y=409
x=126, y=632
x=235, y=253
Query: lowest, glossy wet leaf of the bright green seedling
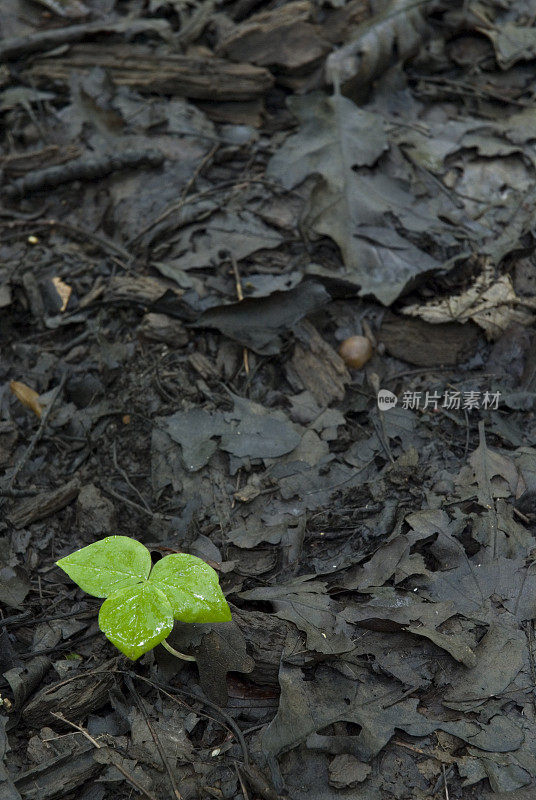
x=136, y=619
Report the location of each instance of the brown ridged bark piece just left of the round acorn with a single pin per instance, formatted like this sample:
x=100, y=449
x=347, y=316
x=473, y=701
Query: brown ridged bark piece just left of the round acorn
x=317, y=367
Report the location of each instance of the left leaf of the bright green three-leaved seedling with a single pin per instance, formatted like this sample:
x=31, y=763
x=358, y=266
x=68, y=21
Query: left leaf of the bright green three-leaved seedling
x=108, y=565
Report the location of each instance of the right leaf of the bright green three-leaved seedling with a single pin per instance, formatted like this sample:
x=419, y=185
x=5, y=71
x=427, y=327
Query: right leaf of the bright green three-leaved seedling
x=192, y=588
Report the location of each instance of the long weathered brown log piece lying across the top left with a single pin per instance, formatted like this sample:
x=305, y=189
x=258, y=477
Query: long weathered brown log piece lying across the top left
x=157, y=72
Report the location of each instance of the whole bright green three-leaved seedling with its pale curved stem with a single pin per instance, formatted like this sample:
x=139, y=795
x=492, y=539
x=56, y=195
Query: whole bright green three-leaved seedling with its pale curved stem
x=143, y=599
